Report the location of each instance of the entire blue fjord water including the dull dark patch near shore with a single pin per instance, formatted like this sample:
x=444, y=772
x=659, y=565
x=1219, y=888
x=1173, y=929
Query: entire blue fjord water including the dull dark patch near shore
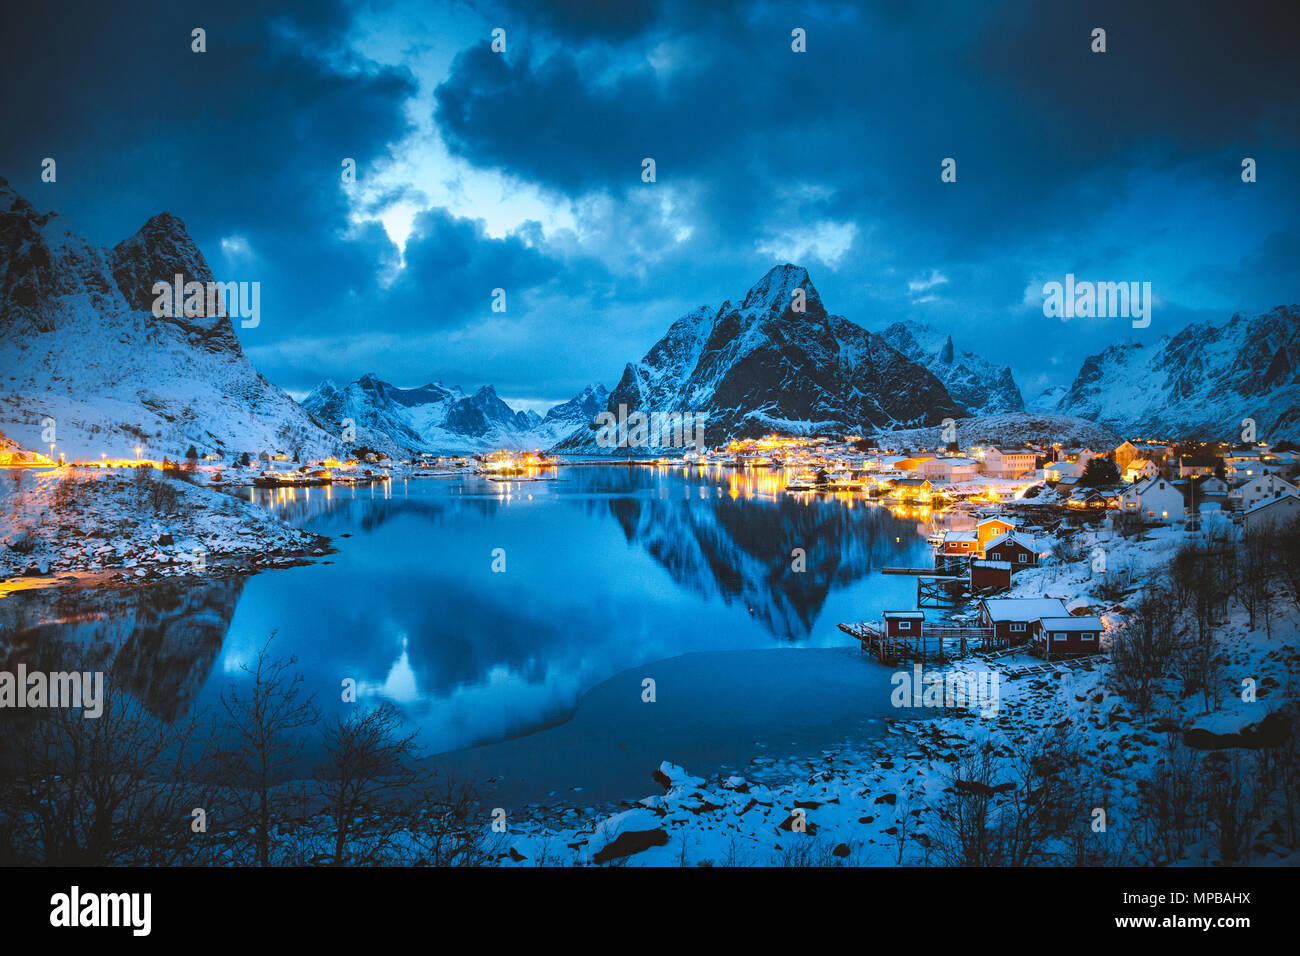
x=530, y=678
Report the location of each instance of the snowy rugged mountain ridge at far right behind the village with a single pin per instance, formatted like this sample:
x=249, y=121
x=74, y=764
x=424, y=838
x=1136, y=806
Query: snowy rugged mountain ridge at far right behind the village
x=1201, y=383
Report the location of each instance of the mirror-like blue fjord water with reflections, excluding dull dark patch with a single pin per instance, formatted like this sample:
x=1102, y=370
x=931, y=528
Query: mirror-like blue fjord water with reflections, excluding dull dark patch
x=605, y=569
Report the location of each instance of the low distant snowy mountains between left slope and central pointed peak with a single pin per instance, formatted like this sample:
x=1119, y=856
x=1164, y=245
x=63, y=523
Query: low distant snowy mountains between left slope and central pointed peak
x=441, y=418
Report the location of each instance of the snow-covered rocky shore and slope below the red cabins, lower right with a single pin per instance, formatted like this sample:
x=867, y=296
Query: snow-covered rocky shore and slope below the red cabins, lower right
x=896, y=802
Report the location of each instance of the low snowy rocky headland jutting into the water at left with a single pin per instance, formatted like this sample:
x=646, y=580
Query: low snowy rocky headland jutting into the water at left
x=135, y=524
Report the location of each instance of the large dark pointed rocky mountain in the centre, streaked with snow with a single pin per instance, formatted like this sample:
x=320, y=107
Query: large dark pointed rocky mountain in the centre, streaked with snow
x=765, y=366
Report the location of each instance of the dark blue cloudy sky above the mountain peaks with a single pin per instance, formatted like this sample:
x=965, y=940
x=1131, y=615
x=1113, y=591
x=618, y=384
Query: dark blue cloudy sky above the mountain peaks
x=522, y=171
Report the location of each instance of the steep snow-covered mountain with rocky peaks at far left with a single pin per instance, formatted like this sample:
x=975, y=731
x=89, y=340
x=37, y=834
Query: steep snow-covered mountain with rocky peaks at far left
x=81, y=352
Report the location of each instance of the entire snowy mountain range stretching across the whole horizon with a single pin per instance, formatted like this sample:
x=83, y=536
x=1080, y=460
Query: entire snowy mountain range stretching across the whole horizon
x=83, y=354
